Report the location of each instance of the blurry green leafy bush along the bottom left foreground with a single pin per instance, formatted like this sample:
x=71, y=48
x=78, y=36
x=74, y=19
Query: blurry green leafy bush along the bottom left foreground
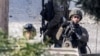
x=19, y=47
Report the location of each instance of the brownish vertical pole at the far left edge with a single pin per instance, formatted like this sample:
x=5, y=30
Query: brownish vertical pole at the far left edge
x=4, y=8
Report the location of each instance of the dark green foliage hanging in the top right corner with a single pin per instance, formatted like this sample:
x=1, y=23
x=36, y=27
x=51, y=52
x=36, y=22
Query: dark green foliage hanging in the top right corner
x=90, y=6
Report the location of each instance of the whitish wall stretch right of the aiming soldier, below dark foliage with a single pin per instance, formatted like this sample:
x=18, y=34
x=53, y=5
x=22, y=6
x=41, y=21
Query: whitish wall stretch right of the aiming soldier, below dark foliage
x=93, y=29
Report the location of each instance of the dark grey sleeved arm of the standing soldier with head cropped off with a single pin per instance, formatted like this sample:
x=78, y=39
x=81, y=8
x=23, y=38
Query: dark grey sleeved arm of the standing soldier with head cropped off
x=59, y=12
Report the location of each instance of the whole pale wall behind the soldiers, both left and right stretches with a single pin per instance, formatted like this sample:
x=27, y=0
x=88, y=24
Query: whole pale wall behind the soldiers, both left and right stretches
x=27, y=11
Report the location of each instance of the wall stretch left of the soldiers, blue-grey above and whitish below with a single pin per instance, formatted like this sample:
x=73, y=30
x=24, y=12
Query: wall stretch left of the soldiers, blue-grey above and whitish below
x=22, y=12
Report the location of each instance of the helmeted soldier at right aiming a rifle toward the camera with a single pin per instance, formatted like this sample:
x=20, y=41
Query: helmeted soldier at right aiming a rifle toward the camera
x=79, y=34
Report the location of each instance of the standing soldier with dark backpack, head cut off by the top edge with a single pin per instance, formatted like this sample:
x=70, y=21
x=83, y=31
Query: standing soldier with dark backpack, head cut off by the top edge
x=54, y=11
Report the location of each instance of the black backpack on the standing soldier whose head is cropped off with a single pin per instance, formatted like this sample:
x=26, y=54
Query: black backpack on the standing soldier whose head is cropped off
x=48, y=12
